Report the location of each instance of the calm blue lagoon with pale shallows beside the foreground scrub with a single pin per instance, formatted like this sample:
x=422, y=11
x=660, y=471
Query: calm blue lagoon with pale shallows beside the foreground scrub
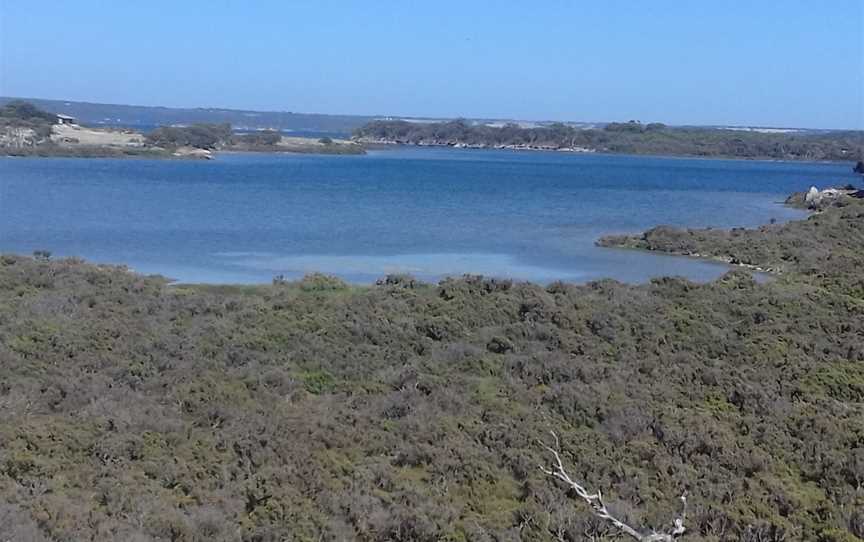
x=429, y=212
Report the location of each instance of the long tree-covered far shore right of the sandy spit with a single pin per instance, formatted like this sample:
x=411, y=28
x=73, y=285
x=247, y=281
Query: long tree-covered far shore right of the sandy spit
x=624, y=138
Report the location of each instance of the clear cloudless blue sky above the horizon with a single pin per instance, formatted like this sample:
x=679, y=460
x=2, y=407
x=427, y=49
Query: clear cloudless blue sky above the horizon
x=761, y=62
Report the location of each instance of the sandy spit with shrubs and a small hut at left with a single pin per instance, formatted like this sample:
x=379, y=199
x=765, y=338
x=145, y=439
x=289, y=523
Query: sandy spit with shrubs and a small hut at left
x=26, y=130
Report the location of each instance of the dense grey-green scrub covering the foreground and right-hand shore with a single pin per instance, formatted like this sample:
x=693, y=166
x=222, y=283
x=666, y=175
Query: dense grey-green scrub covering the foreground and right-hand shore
x=311, y=410
